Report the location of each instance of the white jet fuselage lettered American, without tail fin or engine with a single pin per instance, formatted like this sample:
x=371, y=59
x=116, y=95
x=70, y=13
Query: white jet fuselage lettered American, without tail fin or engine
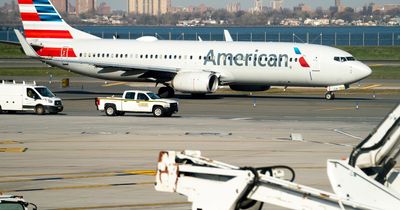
x=243, y=63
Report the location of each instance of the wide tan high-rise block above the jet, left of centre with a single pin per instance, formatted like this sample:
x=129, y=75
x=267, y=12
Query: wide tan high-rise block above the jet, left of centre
x=149, y=7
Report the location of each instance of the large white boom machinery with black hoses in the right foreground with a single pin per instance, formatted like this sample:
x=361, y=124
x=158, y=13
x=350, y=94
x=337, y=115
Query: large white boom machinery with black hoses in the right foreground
x=366, y=180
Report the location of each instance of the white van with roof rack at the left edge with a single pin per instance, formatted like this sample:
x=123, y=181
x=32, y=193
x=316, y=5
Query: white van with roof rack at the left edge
x=28, y=97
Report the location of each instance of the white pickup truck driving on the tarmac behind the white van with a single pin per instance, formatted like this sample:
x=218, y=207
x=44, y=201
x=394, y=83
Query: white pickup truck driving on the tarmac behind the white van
x=139, y=102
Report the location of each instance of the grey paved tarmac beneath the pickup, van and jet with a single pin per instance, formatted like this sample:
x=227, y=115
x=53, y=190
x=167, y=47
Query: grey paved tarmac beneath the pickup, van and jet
x=82, y=159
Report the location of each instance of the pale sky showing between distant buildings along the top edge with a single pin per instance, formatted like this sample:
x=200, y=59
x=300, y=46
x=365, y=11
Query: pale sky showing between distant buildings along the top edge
x=121, y=4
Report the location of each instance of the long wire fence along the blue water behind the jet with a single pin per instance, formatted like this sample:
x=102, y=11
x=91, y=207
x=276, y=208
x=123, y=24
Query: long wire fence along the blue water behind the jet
x=331, y=39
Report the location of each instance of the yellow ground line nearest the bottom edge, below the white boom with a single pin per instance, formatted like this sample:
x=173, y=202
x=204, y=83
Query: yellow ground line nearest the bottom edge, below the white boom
x=126, y=206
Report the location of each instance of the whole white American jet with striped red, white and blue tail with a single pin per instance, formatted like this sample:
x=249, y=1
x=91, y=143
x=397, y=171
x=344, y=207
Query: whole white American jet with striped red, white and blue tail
x=196, y=67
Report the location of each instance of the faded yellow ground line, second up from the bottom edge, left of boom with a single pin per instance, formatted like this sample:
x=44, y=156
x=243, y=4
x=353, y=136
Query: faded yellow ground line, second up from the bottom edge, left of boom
x=78, y=187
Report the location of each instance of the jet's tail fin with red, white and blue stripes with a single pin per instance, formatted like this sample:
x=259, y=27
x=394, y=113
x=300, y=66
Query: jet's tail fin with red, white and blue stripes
x=42, y=22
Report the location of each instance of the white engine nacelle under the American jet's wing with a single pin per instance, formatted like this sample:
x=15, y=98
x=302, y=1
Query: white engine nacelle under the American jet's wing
x=195, y=82
